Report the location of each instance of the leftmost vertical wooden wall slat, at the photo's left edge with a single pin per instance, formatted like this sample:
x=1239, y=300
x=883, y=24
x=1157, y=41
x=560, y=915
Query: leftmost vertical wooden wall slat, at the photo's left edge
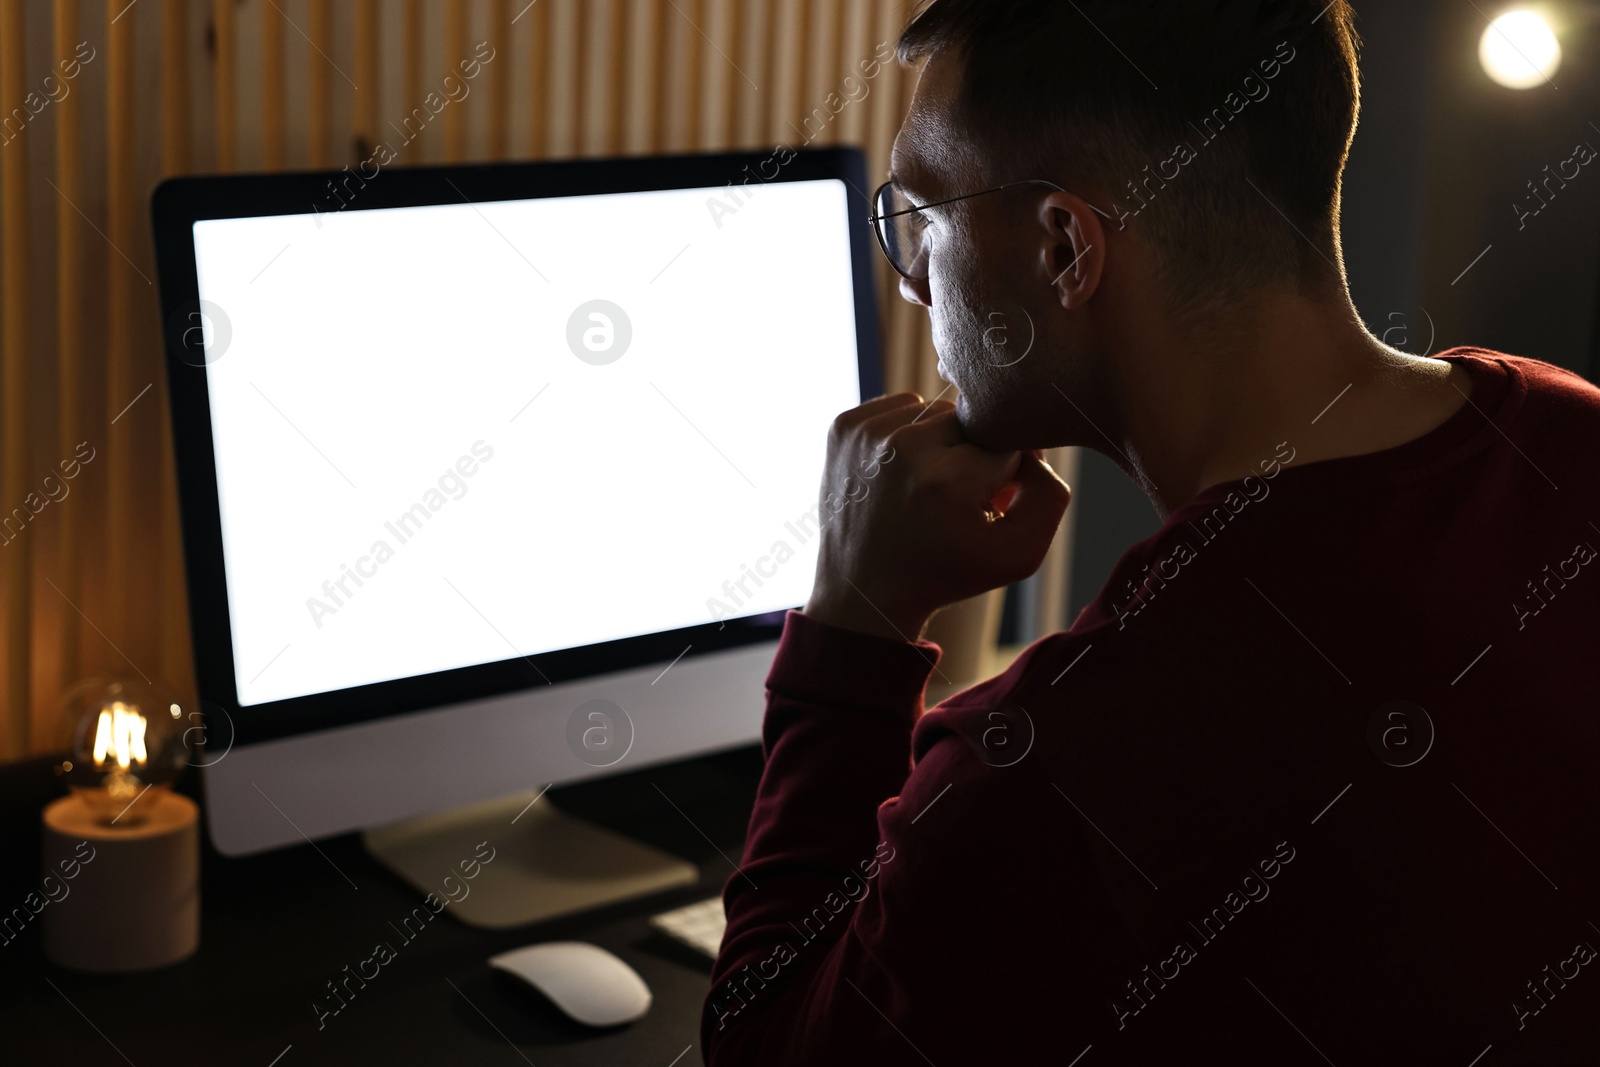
x=14, y=385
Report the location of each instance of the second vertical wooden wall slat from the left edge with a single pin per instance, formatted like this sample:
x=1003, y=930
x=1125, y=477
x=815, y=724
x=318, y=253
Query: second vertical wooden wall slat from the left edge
x=70, y=335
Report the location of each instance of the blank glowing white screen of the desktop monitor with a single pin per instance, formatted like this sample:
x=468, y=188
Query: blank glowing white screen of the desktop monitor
x=358, y=358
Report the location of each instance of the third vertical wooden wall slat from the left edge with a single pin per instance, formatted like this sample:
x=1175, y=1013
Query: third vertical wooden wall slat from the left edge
x=119, y=533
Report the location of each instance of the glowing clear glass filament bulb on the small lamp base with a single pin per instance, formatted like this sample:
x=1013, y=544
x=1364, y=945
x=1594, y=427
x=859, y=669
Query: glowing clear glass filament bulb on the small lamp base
x=126, y=748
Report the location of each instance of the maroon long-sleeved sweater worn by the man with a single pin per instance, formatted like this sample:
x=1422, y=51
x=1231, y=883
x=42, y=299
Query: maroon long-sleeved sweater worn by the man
x=1314, y=780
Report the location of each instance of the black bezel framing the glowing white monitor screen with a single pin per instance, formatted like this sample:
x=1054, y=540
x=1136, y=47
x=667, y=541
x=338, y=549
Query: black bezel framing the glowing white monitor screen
x=178, y=204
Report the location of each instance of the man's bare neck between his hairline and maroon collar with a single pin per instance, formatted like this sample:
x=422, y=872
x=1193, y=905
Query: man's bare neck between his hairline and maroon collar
x=1214, y=407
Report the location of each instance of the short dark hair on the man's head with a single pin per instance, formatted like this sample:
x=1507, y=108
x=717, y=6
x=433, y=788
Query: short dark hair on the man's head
x=1263, y=94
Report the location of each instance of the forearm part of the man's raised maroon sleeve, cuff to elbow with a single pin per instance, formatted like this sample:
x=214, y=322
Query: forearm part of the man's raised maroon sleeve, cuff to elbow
x=841, y=708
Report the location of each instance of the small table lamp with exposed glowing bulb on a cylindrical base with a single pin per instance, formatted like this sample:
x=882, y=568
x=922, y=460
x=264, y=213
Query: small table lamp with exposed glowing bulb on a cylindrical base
x=122, y=849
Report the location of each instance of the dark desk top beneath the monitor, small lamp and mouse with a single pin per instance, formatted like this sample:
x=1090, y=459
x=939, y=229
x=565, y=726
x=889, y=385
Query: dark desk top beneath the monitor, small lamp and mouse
x=276, y=929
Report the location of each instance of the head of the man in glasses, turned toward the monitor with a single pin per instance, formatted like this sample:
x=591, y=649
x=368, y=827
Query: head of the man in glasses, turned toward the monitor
x=1194, y=153
